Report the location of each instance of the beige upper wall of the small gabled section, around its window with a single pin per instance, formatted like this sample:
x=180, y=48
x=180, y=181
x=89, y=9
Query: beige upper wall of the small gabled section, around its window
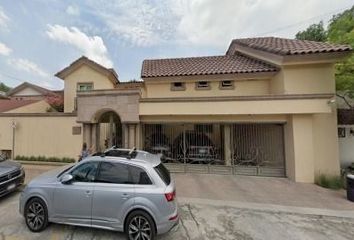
x=82, y=75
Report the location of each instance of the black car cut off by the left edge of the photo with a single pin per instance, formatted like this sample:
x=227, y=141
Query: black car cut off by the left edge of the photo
x=12, y=176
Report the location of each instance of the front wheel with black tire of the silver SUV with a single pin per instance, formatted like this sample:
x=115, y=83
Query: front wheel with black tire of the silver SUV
x=36, y=215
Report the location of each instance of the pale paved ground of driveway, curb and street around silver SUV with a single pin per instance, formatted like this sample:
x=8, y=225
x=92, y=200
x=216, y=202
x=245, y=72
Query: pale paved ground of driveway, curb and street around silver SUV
x=221, y=207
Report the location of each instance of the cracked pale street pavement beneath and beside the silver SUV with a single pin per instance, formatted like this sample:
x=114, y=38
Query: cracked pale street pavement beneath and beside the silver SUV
x=198, y=221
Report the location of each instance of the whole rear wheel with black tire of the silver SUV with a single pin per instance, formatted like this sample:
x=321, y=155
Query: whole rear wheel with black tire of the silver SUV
x=139, y=222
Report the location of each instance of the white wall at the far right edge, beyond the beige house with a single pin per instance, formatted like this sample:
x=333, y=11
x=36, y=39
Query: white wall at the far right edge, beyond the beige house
x=346, y=146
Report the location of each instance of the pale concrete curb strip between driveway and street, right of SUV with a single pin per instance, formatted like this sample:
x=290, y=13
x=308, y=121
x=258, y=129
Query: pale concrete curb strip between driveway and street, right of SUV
x=271, y=207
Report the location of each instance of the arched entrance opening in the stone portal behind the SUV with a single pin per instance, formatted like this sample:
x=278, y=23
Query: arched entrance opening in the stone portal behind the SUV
x=109, y=131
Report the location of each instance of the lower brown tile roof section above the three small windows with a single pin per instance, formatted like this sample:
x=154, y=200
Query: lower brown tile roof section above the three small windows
x=226, y=64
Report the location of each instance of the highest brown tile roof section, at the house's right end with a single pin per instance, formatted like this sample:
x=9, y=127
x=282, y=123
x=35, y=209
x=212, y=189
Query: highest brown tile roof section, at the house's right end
x=283, y=46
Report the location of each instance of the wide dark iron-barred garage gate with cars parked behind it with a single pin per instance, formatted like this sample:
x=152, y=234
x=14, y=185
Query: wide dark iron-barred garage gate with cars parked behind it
x=245, y=149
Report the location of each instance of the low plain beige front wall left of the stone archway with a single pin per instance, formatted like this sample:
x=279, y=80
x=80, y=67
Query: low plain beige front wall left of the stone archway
x=41, y=135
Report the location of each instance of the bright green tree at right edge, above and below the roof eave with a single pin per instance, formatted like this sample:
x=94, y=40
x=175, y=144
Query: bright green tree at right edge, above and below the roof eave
x=341, y=31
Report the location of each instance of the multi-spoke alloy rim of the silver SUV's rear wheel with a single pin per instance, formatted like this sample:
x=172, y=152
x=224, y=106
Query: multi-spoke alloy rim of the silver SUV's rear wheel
x=139, y=229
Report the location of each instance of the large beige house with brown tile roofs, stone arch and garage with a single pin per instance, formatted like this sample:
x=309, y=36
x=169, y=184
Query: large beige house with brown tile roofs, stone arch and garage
x=264, y=108
